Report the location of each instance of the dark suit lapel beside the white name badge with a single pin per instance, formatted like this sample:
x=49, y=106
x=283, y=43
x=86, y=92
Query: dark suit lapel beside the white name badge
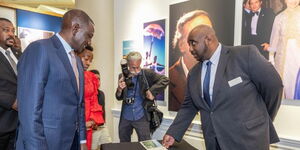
x=219, y=74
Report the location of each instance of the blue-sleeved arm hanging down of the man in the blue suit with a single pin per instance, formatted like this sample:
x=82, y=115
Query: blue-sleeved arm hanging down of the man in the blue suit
x=33, y=70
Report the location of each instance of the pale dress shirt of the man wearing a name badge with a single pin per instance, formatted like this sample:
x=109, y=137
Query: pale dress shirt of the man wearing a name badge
x=215, y=61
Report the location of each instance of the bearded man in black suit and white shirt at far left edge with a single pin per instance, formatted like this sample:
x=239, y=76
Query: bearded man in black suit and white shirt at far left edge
x=8, y=86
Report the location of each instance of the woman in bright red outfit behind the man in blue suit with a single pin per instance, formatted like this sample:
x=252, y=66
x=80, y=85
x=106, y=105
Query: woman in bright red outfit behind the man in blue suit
x=93, y=111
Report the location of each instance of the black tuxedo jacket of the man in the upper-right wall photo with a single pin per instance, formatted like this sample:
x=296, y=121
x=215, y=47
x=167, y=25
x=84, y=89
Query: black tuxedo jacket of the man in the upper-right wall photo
x=263, y=30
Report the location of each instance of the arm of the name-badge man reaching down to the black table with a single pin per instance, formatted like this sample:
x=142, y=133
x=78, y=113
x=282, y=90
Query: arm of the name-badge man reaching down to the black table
x=183, y=119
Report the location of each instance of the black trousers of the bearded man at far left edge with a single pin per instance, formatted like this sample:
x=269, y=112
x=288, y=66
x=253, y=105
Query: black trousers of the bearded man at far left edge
x=7, y=141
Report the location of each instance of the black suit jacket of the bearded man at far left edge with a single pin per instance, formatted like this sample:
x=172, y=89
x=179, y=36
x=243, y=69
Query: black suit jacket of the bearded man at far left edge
x=8, y=95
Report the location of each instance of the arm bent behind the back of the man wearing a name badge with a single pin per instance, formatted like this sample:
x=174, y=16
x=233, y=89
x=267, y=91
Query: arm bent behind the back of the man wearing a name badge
x=266, y=79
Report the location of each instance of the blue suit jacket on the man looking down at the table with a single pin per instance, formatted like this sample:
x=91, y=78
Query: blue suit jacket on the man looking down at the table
x=51, y=108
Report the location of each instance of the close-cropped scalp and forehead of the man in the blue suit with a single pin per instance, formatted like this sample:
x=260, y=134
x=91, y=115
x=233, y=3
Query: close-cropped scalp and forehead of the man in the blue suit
x=75, y=16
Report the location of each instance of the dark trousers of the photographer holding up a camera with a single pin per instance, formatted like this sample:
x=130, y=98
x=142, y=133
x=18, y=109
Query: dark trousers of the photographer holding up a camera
x=141, y=126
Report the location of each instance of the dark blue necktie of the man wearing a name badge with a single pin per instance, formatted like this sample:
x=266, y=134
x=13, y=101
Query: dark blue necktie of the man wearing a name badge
x=206, y=84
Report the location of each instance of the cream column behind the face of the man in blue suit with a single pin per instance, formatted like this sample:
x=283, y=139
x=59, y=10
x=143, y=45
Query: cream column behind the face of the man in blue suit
x=101, y=12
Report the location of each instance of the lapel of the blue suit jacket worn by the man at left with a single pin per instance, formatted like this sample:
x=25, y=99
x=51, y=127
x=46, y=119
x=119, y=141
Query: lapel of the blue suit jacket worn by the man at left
x=63, y=56
